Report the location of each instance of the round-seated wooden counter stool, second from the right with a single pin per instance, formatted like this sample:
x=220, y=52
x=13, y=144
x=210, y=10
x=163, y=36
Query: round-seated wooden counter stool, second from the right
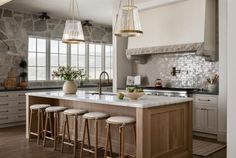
x=95, y=116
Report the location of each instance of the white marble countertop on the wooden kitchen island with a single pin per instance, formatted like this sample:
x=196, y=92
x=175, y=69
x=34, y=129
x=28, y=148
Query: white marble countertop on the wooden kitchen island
x=145, y=101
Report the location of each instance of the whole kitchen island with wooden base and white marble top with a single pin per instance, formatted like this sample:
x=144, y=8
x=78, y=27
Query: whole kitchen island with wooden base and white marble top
x=163, y=124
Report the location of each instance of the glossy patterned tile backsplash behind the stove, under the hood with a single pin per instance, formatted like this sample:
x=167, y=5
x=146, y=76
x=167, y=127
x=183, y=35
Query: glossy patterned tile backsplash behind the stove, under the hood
x=194, y=70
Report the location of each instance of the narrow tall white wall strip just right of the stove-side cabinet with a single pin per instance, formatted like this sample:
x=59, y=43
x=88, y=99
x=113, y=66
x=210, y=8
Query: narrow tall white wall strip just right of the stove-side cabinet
x=222, y=107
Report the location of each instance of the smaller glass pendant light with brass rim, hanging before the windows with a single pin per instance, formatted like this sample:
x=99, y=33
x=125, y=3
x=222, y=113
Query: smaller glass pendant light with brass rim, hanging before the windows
x=73, y=32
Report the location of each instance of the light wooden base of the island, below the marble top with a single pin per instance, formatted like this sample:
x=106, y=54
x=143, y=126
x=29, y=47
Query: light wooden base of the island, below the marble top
x=162, y=131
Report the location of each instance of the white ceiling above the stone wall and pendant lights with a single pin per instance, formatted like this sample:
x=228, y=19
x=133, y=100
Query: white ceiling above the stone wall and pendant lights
x=99, y=11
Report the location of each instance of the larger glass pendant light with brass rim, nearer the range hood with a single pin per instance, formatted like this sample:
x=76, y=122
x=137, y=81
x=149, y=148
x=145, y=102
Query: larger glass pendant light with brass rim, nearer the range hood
x=128, y=22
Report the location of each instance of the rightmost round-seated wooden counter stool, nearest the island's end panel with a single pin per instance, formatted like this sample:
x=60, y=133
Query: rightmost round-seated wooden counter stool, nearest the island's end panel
x=122, y=121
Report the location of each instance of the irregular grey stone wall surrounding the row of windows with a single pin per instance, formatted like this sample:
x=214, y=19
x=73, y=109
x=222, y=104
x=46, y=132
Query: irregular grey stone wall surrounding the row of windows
x=15, y=27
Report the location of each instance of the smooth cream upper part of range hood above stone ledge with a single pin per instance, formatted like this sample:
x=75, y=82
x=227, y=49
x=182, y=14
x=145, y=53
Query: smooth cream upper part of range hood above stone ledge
x=172, y=24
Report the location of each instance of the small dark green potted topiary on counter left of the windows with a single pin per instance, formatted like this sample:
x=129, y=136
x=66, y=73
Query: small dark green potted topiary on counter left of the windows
x=23, y=74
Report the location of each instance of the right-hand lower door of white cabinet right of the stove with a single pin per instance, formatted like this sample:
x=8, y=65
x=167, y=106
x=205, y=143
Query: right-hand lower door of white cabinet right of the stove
x=211, y=120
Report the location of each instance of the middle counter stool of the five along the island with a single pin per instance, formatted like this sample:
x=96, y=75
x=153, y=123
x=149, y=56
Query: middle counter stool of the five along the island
x=73, y=113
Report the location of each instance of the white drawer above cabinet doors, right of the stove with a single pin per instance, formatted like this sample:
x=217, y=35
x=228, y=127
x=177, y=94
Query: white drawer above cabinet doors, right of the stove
x=206, y=99
